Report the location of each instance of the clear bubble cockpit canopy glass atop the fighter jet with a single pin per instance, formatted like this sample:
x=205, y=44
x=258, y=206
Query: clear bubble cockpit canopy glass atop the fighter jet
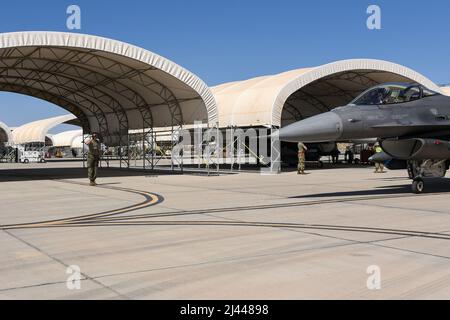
x=392, y=94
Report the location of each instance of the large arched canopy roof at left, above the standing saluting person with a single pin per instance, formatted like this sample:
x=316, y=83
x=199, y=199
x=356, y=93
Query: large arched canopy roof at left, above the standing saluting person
x=110, y=86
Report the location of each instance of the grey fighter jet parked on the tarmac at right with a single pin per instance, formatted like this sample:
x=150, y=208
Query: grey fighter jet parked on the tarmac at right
x=411, y=122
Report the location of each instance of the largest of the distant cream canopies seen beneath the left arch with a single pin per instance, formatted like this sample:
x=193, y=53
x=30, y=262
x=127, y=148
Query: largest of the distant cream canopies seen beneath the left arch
x=37, y=131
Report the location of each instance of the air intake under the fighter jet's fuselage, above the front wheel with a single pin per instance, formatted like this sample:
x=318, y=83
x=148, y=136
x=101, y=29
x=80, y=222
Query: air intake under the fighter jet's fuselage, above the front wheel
x=417, y=149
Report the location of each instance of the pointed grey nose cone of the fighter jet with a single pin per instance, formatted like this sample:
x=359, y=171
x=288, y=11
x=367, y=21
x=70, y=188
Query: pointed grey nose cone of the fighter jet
x=321, y=128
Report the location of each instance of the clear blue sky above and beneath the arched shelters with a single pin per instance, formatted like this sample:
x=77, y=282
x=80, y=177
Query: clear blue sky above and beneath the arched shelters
x=229, y=40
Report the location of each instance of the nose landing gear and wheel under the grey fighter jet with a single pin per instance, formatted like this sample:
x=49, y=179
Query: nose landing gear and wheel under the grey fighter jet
x=418, y=170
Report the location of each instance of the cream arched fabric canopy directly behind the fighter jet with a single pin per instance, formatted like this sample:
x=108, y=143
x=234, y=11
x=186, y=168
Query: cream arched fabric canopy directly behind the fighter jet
x=291, y=96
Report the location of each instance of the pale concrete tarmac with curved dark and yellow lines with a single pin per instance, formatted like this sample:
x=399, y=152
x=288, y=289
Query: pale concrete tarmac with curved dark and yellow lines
x=324, y=235
